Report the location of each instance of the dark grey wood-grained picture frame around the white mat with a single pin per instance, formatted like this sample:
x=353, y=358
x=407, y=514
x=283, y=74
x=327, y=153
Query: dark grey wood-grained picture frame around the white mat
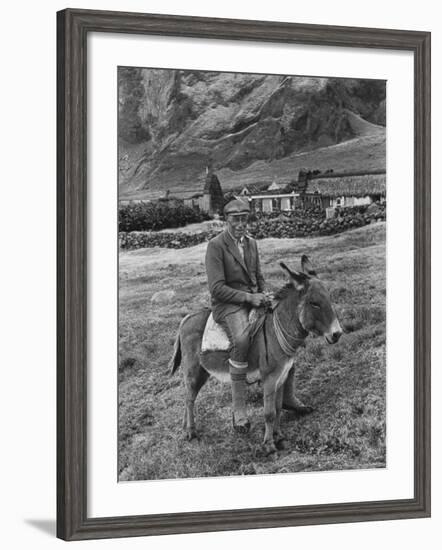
x=73, y=27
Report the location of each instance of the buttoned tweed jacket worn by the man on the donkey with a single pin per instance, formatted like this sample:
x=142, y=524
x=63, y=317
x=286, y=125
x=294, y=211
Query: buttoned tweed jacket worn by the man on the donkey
x=231, y=277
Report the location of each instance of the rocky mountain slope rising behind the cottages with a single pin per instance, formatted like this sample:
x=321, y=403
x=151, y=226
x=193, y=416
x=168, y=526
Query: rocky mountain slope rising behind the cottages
x=172, y=123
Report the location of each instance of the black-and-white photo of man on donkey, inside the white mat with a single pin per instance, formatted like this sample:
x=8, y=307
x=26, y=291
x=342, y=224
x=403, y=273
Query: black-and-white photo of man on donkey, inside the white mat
x=252, y=274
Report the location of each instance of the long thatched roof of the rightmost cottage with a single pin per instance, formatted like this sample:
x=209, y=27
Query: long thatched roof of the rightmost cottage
x=352, y=186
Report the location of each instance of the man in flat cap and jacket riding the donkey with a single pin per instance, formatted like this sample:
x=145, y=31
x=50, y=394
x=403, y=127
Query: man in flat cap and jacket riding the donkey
x=236, y=285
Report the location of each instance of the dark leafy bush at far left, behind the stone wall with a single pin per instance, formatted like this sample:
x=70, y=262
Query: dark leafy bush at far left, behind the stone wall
x=153, y=216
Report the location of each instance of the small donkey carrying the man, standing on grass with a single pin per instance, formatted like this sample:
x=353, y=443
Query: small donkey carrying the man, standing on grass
x=300, y=307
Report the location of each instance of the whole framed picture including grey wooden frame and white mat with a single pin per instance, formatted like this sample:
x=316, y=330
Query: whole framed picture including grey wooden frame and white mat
x=243, y=274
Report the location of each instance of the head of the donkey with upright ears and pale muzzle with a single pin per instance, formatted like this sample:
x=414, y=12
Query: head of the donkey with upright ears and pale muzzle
x=315, y=309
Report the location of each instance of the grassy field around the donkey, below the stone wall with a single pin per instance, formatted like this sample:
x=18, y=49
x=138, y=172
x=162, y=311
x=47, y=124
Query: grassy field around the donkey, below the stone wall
x=345, y=383
